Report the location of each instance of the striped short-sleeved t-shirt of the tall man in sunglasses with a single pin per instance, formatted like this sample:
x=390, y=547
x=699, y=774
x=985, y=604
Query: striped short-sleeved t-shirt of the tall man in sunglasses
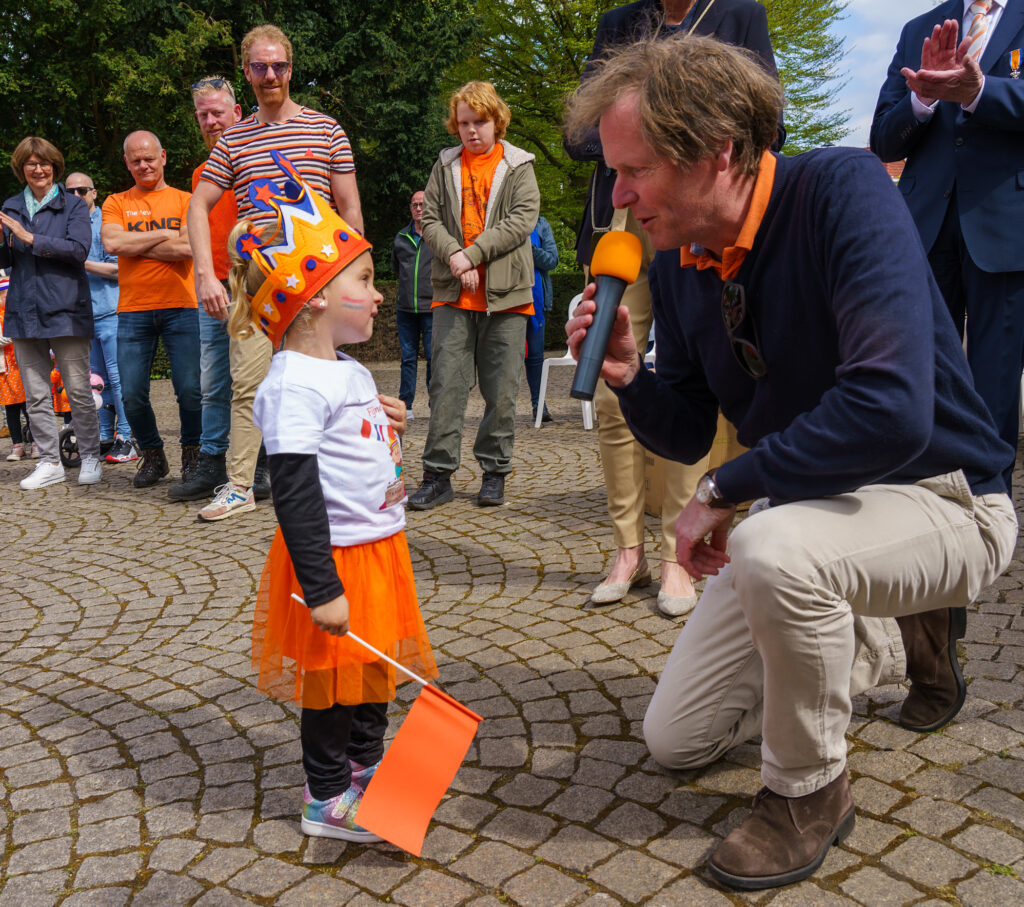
x=315, y=144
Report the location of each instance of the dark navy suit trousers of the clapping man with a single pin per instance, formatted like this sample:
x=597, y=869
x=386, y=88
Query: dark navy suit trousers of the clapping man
x=994, y=305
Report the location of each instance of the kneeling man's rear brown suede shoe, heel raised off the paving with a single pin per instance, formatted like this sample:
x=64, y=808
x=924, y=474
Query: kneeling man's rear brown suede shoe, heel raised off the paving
x=937, y=685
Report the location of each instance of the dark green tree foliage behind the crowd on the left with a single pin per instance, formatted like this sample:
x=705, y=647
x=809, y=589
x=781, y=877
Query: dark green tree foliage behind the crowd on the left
x=86, y=73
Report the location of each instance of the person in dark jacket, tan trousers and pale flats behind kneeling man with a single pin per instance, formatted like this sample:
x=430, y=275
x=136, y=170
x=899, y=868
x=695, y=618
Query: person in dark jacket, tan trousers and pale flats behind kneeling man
x=742, y=23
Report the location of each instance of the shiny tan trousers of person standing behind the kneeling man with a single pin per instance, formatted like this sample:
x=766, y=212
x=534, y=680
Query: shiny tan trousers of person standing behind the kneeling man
x=622, y=454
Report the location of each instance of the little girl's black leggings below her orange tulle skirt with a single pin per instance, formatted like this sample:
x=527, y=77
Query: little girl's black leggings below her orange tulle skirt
x=333, y=737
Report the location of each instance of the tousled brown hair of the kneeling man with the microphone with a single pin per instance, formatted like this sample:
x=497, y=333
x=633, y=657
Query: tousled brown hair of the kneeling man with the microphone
x=694, y=95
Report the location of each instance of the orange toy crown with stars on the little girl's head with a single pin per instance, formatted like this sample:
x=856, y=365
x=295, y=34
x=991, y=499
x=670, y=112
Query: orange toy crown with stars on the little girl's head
x=308, y=246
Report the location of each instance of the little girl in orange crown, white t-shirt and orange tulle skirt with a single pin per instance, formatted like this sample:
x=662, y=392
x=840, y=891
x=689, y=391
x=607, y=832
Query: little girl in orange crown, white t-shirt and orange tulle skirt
x=335, y=462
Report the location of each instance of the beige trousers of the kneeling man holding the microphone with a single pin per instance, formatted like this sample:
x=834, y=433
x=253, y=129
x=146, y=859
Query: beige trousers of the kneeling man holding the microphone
x=801, y=621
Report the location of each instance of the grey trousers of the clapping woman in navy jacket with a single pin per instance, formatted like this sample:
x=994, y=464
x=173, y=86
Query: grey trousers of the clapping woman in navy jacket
x=72, y=355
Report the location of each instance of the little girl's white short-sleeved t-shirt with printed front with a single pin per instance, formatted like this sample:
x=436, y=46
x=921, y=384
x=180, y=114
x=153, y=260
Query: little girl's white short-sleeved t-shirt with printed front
x=311, y=406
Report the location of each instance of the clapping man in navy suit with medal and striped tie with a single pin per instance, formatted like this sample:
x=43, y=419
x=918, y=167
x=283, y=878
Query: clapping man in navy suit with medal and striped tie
x=955, y=109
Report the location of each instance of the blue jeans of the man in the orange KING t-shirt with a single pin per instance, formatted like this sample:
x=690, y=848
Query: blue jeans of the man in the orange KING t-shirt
x=138, y=335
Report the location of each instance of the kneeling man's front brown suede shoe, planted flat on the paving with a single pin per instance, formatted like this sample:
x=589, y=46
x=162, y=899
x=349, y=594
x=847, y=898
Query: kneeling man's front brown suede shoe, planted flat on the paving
x=785, y=839
